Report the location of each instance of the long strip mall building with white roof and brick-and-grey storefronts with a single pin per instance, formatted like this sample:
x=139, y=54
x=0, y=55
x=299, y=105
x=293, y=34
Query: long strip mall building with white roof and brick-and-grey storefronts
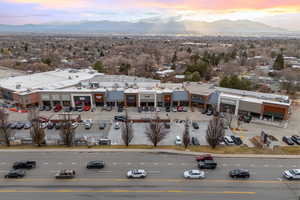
x=70, y=87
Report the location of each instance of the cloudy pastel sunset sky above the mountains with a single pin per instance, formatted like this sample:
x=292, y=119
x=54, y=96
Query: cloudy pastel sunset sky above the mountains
x=278, y=13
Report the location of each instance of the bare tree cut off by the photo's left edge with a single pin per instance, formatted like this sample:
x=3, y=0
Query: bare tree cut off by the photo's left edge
x=5, y=132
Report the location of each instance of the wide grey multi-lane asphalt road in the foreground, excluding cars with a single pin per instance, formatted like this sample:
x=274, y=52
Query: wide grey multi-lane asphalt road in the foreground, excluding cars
x=165, y=180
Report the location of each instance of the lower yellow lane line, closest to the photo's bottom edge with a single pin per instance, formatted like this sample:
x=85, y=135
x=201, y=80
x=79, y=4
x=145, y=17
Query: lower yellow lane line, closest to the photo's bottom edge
x=127, y=191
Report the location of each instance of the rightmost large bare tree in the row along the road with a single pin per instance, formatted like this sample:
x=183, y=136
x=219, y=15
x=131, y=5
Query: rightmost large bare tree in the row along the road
x=215, y=131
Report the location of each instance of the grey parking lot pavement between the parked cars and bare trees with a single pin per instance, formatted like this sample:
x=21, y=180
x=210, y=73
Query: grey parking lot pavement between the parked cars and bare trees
x=98, y=116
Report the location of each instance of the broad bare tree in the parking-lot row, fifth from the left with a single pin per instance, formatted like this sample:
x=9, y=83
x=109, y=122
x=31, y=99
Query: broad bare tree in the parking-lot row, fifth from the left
x=156, y=131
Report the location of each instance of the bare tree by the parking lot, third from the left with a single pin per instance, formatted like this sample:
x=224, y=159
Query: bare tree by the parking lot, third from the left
x=67, y=132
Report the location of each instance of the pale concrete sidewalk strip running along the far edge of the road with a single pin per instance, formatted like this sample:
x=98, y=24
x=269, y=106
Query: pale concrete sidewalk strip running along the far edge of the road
x=265, y=156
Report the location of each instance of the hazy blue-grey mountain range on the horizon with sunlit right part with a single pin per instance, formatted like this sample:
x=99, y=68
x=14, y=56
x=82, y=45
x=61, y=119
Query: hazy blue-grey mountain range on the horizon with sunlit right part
x=221, y=27
